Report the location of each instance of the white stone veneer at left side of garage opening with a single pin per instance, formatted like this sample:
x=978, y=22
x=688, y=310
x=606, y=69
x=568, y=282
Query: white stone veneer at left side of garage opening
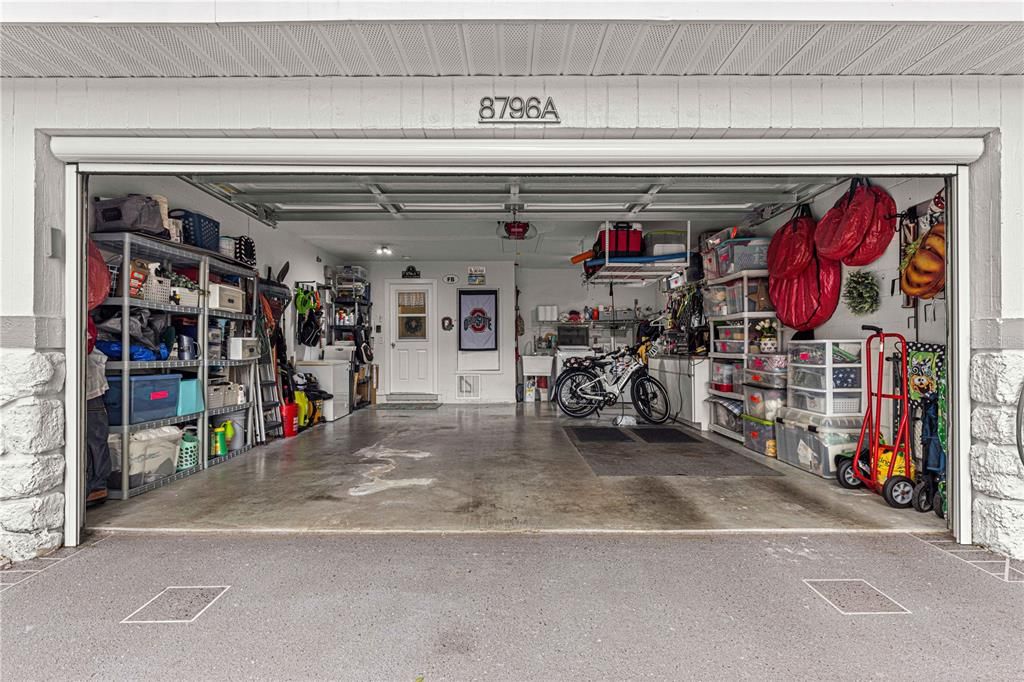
x=32, y=459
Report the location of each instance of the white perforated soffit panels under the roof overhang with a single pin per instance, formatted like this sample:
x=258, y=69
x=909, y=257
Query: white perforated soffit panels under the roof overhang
x=510, y=49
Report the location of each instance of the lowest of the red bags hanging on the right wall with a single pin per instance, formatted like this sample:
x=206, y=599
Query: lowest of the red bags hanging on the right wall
x=809, y=300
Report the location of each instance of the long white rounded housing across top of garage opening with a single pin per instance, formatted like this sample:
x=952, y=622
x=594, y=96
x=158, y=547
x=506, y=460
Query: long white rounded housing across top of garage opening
x=513, y=154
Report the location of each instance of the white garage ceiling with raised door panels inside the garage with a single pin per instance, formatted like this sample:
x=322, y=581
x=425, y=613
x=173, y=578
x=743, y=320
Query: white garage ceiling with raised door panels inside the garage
x=457, y=218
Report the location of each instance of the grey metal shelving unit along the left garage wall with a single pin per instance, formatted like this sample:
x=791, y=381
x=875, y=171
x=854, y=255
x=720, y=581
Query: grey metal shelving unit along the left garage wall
x=133, y=246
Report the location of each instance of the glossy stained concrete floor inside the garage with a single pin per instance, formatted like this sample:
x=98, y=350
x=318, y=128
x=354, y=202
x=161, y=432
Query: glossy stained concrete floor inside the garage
x=487, y=468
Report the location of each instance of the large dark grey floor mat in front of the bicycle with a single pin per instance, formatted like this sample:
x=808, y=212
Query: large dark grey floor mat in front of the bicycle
x=697, y=459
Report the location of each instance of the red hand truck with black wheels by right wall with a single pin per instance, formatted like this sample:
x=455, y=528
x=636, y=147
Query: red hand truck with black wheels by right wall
x=887, y=470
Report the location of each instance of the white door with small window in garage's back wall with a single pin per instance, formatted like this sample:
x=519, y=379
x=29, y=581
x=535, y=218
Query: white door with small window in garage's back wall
x=412, y=354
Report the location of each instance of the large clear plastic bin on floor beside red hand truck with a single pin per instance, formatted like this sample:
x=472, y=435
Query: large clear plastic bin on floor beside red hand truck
x=815, y=443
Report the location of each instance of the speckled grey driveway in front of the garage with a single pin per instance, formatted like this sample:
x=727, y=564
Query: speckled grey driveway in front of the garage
x=515, y=608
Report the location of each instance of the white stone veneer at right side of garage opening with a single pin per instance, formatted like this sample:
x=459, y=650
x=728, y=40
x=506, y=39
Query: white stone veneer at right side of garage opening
x=997, y=472
